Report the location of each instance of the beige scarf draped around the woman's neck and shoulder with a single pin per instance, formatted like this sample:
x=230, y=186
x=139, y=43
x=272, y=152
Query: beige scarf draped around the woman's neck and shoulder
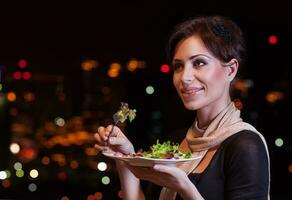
x=226, y=123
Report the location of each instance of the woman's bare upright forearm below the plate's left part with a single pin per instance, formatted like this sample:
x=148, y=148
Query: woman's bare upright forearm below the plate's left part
x=131, y=188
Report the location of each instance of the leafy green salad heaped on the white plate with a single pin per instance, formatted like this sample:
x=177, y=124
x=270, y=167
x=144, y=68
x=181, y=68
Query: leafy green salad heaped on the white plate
x=165, y=150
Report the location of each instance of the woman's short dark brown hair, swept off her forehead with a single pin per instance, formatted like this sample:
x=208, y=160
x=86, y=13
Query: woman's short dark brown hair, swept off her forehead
x=221, y=36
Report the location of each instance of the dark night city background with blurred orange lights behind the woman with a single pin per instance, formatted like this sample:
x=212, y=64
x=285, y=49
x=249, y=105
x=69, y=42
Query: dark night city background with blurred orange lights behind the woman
x=55, y=39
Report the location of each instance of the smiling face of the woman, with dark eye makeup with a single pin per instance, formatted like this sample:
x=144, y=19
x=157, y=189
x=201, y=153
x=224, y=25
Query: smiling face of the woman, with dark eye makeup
x=199, y=77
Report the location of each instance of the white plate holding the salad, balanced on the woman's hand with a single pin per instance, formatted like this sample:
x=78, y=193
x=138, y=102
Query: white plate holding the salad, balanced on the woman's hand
x=148, y=162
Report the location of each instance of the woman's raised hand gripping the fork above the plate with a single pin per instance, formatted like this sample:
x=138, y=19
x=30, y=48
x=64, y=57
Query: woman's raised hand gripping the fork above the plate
x=117, y=142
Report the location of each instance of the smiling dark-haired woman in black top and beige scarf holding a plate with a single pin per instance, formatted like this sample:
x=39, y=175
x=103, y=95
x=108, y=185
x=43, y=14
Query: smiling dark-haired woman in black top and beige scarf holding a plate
x=205, y=53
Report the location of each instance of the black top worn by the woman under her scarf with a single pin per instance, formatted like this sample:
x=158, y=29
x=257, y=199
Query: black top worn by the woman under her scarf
x=238, y=170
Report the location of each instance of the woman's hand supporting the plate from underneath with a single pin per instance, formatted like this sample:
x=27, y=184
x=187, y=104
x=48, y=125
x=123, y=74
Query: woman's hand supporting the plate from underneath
x=163, y=175
